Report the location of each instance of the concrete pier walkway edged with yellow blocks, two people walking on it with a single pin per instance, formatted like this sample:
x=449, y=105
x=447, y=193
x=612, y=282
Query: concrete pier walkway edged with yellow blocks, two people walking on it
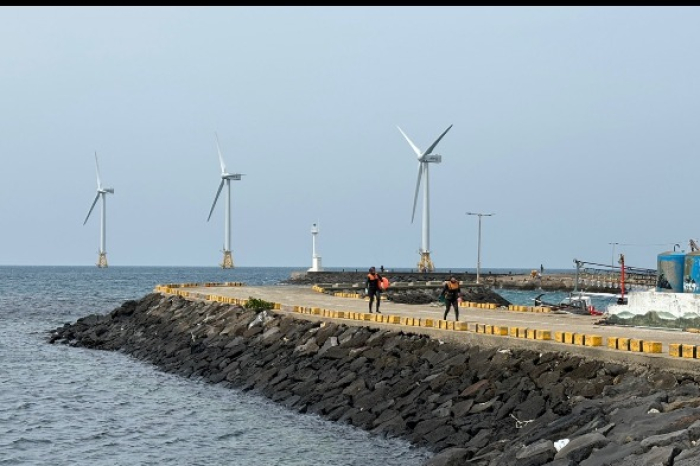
x=576, y=334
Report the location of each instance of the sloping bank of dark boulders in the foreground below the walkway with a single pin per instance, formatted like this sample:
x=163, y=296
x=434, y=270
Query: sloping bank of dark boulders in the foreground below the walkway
x=477, y=405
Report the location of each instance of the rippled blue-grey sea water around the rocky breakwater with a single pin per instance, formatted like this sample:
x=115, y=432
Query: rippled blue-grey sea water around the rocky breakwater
x=61, y=405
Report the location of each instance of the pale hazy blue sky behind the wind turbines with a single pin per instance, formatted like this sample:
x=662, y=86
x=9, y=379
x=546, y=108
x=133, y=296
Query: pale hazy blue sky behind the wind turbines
x=575, y=126
